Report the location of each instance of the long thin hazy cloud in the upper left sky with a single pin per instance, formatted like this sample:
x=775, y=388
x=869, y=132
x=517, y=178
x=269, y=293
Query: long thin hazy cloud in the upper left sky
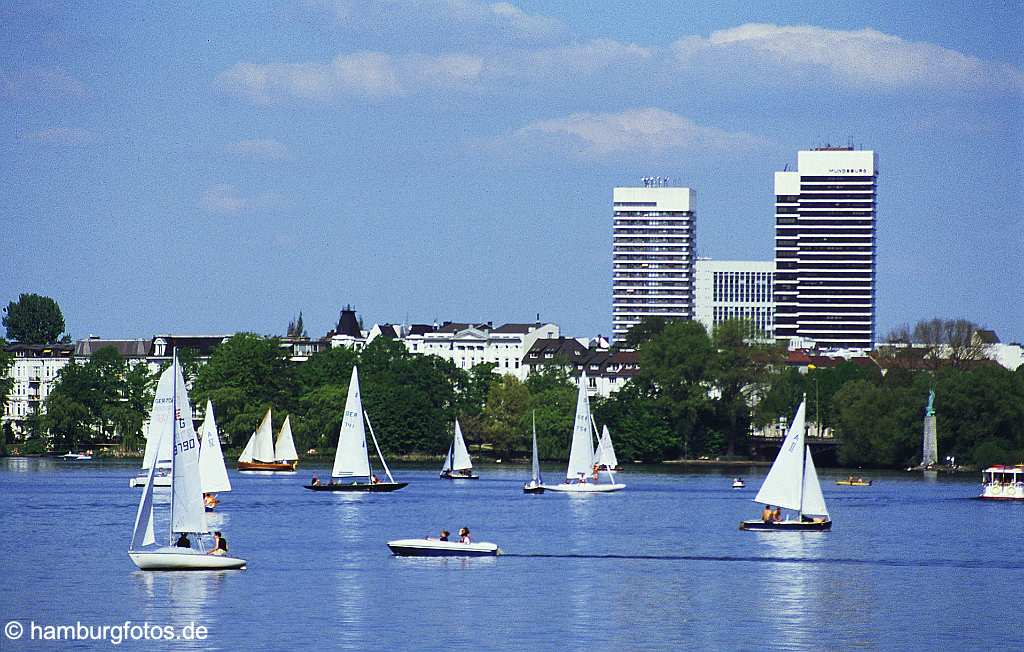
x=370, y=75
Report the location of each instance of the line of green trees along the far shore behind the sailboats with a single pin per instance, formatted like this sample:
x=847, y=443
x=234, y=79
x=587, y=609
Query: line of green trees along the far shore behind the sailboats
x=696, y=395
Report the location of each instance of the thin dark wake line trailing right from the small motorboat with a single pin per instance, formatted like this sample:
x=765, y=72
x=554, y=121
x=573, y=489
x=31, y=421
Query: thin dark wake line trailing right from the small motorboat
x=942, y=563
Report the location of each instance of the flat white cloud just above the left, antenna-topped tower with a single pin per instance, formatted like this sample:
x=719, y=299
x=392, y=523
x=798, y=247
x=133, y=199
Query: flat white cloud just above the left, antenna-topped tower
x=632, y=132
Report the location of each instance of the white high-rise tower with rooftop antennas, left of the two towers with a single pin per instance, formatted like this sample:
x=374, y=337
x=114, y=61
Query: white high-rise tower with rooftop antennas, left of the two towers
x=654, y=254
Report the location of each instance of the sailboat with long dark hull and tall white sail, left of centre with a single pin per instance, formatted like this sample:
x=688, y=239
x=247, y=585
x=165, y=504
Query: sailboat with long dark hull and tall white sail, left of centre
x=352, y=459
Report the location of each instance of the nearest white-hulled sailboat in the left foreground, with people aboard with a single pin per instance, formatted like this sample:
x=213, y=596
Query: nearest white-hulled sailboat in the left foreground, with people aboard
x=174, y=423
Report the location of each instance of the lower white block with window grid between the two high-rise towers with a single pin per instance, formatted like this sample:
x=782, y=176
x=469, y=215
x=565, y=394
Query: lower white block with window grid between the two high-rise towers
x=735, y=290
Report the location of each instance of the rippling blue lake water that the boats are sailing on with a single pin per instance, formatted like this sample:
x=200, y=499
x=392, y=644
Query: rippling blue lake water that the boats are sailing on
x=911, y=563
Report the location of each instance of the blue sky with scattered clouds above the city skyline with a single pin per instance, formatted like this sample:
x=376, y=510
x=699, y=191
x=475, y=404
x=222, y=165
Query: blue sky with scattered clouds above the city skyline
x=219, y=167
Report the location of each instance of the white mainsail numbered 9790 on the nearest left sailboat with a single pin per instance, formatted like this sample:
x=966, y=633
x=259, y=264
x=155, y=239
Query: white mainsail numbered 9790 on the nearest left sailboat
x=188, y=512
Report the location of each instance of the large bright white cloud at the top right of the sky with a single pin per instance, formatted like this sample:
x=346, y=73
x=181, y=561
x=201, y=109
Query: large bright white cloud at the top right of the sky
x=866, y=58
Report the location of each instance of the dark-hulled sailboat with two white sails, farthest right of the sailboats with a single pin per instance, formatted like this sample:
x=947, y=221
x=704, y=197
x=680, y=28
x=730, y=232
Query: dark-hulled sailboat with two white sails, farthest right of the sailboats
x=793, y=485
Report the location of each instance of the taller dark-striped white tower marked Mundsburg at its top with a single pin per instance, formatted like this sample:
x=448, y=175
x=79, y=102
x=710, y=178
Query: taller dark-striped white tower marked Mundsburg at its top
x=826, y=250
